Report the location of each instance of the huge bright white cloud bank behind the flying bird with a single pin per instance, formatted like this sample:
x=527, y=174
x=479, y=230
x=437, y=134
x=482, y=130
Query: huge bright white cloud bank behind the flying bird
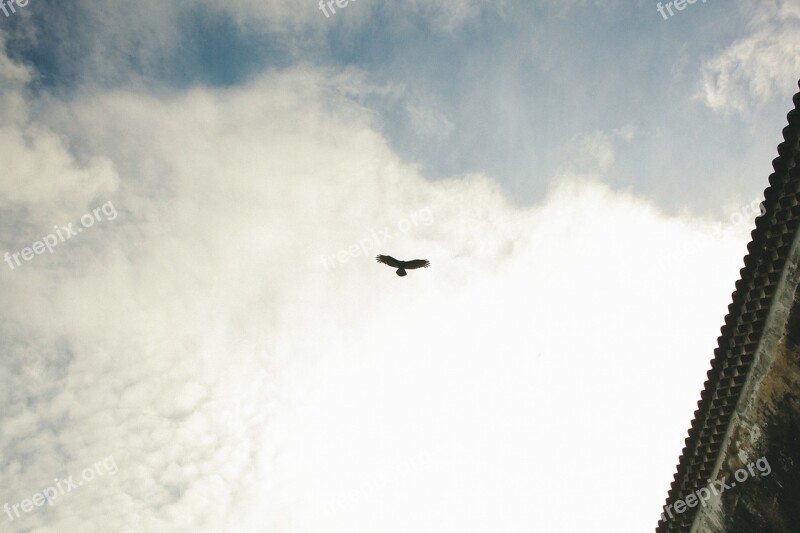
x=240, y=385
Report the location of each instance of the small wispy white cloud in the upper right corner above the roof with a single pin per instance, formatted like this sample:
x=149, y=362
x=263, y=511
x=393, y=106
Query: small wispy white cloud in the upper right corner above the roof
x=760, y=66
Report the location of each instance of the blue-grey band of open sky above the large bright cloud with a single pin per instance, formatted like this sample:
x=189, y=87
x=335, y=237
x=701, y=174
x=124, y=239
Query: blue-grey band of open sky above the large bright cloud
x=536, y=76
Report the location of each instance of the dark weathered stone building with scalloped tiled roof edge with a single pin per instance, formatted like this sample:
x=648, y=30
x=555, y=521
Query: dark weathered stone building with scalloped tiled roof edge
x=740, y=469
